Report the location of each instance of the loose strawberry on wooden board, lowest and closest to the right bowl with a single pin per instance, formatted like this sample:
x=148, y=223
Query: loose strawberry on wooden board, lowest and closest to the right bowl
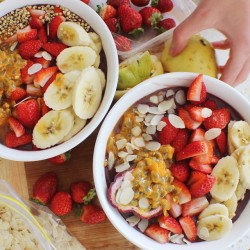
x=92, y=214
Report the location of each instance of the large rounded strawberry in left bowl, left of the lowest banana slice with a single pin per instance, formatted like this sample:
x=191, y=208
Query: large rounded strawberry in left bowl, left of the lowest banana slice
x=28, y=113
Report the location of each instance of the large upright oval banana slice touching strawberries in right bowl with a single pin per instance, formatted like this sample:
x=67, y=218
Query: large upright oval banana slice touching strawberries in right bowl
x=227, y=177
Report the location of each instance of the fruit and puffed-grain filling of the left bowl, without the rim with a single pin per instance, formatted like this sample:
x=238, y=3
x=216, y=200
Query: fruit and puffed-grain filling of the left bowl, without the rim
x=52, y=76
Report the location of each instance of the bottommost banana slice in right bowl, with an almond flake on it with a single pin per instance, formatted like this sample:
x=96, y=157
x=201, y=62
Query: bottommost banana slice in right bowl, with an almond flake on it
x=214, y=227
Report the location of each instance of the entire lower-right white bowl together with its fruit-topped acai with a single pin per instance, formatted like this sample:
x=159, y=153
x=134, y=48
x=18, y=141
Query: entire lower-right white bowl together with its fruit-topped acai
x=171, y=164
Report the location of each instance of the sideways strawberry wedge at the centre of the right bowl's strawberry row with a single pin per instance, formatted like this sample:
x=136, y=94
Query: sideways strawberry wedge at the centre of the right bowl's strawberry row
x=192, y=149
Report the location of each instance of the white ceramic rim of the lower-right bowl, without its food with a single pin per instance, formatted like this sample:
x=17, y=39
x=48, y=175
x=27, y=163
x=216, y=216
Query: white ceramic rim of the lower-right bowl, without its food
x=215, y=87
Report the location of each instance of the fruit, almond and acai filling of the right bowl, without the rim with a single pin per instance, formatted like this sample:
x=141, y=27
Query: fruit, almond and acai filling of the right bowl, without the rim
x=176, y=165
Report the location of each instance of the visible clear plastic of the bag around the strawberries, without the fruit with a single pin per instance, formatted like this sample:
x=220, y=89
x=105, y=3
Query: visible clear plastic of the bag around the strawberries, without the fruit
x=150, y=38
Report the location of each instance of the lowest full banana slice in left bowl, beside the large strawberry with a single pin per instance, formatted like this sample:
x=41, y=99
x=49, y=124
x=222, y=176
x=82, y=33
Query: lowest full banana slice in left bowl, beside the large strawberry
x=52, y=127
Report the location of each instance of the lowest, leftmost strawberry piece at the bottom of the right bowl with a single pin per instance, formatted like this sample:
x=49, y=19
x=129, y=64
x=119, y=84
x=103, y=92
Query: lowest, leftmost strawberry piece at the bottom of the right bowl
x=157, y=233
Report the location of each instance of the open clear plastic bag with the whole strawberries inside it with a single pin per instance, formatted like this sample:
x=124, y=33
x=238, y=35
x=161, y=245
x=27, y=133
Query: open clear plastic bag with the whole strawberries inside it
x=138, y=25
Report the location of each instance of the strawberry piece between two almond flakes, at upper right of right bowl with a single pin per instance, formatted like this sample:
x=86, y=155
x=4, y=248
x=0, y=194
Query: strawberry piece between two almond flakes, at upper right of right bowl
x=219, y=119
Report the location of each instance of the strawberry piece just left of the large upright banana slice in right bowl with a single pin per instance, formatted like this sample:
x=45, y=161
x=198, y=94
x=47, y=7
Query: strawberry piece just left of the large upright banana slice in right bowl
x=202, y=186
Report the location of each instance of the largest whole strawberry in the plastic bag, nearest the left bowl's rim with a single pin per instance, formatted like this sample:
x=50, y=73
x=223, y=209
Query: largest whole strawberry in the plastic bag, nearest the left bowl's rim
x=130, y=20
